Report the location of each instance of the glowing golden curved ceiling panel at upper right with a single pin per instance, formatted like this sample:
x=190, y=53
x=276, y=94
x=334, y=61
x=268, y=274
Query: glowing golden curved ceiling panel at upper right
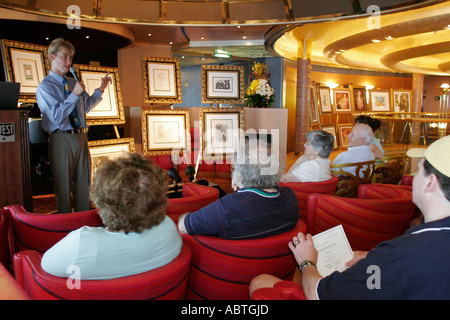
x=415, y=41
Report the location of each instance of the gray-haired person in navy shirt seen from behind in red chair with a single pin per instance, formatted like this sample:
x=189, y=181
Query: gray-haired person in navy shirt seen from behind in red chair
x=259, y=208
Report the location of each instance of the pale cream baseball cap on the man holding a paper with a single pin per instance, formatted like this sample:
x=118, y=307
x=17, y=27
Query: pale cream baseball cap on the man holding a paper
x=437, y=154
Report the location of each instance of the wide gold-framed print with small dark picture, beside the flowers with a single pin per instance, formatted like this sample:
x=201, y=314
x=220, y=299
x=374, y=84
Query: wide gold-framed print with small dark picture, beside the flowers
x=222, y=84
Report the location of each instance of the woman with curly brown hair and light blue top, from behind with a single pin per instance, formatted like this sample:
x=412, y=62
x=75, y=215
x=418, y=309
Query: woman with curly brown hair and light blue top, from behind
x=131, y=197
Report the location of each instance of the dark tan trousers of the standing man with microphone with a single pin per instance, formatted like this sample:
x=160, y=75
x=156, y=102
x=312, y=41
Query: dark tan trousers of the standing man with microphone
x=70, y=163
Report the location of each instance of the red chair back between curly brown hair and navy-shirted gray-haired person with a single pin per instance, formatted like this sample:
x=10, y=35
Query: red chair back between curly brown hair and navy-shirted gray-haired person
x=194, y=196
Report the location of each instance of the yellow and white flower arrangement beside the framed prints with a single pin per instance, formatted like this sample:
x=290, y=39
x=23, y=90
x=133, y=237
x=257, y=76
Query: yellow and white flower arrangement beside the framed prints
x=259, y=93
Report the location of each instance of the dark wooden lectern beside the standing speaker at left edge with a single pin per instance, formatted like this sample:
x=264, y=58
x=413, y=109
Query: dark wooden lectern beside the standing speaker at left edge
x=15, y=169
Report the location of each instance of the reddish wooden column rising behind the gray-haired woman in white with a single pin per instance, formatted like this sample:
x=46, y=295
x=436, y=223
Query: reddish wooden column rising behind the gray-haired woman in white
x=303, y=104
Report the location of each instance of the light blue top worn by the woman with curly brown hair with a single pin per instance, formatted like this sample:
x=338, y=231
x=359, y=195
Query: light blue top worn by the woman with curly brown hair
x=96, y=253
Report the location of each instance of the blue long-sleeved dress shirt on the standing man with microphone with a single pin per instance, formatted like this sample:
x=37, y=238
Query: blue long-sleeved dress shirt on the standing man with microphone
x=55, y=108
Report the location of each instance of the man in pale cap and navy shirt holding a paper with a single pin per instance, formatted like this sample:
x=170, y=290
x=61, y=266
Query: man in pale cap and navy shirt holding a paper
x=413, y=266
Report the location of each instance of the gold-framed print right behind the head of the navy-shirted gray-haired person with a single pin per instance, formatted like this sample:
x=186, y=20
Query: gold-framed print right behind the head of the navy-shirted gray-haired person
x=221, y=131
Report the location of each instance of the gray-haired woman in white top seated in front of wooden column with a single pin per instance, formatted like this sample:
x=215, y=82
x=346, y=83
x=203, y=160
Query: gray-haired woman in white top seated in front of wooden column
x=314, y=164
